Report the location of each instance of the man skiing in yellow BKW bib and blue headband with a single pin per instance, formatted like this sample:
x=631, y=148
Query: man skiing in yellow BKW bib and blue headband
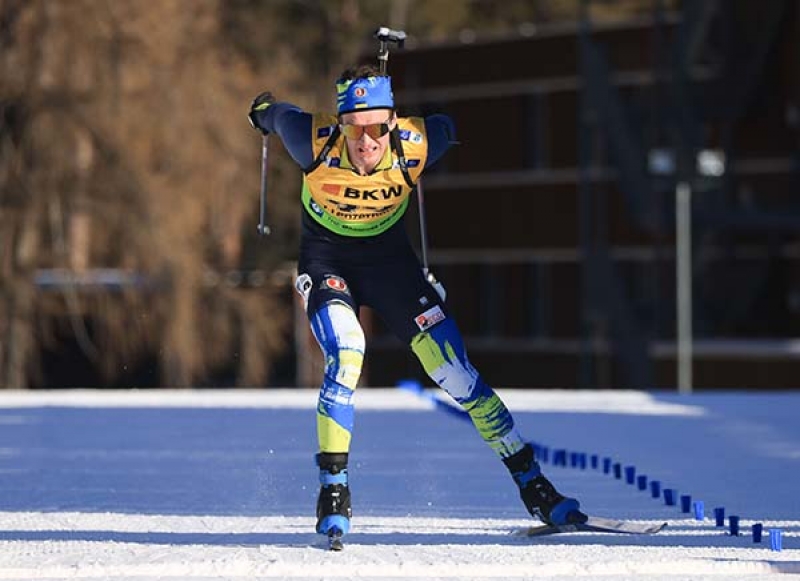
x=360, y=167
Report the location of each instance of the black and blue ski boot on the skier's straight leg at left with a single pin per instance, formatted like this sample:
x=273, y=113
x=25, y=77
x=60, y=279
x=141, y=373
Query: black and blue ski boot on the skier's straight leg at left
x=333, y=504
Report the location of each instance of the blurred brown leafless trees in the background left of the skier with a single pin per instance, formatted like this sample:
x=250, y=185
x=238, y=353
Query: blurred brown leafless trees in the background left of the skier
x=124, y=146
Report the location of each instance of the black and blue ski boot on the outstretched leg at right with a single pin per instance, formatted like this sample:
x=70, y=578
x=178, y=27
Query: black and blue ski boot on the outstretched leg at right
x=541, y=498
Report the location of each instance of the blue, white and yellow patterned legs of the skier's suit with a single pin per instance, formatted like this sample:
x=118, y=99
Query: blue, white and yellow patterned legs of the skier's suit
x=434, y=339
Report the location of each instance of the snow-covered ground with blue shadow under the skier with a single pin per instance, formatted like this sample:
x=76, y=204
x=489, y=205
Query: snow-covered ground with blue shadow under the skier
x=205, y=484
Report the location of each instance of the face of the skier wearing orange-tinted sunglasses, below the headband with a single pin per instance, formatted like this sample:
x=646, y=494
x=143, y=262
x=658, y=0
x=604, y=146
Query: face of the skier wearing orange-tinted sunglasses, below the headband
x=367, y=136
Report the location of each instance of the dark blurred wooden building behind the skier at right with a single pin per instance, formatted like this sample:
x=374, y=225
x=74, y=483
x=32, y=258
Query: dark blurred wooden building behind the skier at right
x=553, y=224
